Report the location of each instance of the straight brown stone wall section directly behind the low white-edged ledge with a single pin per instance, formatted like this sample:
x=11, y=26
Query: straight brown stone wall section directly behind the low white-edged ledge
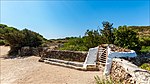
x=65, y=55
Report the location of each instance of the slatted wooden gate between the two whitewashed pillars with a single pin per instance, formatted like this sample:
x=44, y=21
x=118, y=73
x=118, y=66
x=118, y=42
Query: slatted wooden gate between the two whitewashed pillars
x=101, y=57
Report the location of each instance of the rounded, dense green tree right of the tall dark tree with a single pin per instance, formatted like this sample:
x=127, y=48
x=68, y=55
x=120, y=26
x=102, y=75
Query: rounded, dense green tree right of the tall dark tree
x=124, y=37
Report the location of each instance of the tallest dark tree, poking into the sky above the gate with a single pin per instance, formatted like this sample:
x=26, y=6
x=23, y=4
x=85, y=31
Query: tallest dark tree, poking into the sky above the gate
x=107, y=32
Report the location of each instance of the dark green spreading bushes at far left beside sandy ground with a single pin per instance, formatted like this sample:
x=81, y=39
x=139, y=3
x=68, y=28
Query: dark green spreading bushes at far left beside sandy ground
x=18, y=39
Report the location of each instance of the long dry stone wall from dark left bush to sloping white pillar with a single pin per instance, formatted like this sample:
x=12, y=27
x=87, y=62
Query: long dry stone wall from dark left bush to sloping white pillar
x=45, y=52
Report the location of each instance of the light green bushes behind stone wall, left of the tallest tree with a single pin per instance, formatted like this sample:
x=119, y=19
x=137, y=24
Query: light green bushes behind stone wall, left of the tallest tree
x=91, y=39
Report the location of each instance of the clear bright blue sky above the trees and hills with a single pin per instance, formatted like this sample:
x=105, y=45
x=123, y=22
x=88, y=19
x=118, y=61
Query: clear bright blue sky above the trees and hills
x=65, y=18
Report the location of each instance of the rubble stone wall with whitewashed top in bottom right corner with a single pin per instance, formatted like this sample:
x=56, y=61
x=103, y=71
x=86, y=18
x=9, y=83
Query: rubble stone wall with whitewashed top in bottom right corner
x=128, y=73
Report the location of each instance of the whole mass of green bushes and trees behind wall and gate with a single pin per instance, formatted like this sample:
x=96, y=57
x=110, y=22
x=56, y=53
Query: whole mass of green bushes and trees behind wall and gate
x=122, y=36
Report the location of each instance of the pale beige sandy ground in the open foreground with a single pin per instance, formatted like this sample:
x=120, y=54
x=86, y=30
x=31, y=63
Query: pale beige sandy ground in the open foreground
x=30, y=71
